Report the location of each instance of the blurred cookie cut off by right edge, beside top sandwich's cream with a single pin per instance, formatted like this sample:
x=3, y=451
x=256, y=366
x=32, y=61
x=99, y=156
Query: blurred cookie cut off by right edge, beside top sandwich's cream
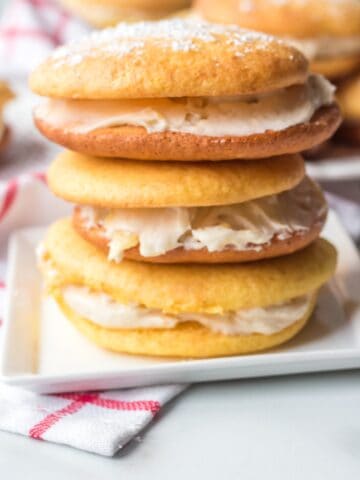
x=349, y=99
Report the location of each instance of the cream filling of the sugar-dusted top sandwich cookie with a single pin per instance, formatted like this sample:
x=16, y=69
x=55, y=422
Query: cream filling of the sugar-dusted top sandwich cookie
x=209, y=116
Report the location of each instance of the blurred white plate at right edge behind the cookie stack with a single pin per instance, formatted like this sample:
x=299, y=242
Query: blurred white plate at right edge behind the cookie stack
x=333, y=169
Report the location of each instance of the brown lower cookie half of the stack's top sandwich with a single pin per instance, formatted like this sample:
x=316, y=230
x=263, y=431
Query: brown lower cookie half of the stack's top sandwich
x=134, y=142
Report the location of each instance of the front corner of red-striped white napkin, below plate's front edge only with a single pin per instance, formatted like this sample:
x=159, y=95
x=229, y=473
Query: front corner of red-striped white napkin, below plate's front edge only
x=98, y=422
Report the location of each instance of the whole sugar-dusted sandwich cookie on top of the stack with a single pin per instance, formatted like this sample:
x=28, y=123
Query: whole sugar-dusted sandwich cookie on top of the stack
x=182, y=90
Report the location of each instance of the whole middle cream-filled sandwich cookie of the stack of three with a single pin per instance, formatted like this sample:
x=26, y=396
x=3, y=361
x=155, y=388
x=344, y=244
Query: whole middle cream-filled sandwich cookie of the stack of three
x=193, y=213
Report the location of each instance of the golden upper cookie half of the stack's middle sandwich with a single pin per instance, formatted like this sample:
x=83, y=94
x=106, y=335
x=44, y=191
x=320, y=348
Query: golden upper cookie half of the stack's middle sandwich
x=112, y=183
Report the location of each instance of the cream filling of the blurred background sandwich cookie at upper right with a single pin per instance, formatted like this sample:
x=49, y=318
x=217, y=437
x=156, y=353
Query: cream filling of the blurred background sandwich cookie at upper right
x=323, y=48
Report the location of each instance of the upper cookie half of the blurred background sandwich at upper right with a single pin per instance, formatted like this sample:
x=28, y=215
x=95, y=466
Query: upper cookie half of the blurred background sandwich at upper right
x=295, y=18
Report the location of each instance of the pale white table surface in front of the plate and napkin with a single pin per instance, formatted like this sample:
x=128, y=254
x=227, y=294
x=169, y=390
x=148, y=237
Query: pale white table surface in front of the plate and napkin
x=291, y=428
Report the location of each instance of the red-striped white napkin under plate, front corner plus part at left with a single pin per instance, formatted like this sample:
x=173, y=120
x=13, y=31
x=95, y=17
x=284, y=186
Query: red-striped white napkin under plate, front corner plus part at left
x=100, y=422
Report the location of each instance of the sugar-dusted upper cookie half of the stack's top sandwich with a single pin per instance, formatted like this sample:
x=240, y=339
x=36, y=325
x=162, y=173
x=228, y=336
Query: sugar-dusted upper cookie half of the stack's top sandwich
x=172, y=58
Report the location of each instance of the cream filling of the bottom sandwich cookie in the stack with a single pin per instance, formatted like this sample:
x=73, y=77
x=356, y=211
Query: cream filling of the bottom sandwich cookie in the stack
x=102, y=310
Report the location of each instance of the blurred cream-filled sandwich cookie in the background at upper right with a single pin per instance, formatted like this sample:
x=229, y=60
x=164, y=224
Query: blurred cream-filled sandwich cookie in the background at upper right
x=327, y=31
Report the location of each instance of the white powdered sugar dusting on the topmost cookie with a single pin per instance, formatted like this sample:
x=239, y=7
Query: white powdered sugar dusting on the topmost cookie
x=176, y=34
